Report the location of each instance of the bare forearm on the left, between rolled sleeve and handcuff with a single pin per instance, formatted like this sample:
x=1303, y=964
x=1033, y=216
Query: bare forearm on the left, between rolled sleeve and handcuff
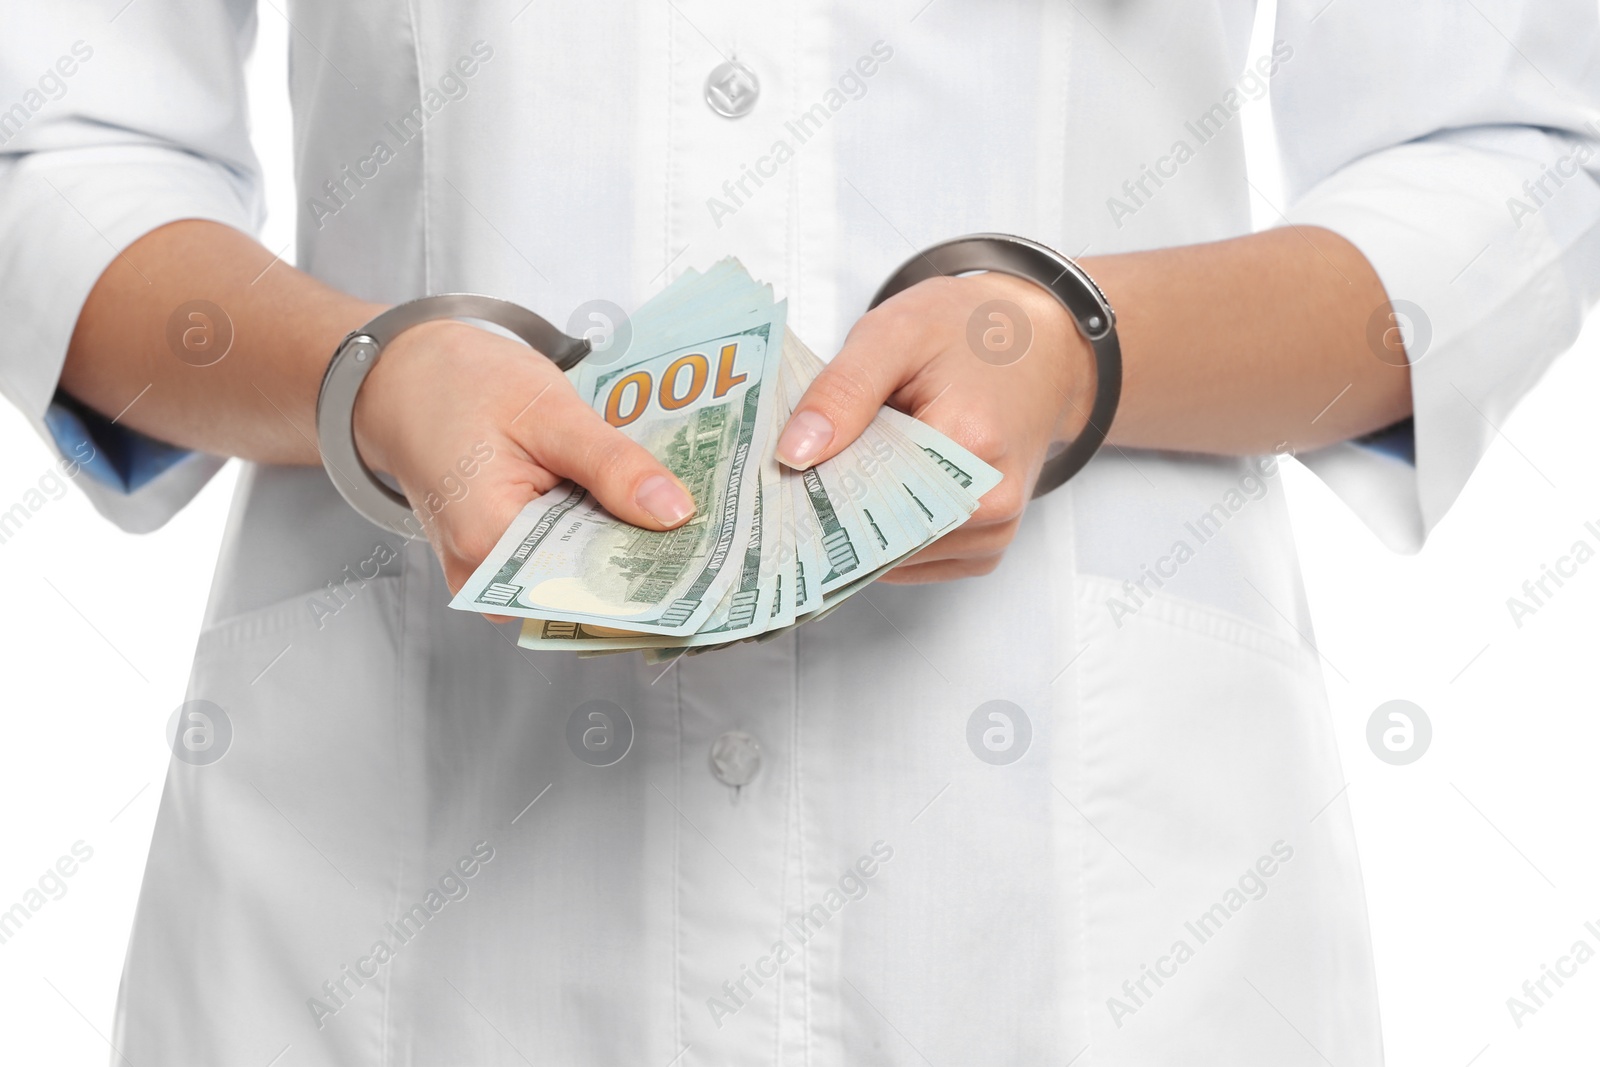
x=260, y=399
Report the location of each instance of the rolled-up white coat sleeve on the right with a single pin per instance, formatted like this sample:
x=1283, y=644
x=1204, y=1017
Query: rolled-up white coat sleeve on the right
x=1458, y=146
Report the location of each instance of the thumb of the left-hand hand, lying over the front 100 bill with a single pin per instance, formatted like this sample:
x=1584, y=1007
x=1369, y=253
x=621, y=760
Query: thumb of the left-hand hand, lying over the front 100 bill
x=631, y=484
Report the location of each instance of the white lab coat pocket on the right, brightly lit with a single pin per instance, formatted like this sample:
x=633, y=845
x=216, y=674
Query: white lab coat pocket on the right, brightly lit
x=1223, y=866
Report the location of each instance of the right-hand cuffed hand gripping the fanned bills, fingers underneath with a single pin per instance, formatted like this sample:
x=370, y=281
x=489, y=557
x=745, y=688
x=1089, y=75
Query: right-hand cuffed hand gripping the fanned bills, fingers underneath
x=1002, y=402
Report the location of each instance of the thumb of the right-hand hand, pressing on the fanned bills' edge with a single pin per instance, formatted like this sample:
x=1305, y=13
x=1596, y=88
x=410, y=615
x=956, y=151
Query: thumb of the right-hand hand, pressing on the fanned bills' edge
x=844, y=399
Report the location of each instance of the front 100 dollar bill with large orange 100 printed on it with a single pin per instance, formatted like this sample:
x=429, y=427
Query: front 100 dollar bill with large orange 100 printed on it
x=705, y=414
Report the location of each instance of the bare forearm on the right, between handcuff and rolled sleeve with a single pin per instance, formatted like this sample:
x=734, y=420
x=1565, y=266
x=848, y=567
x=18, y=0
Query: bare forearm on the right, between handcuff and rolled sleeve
x=1252, y=345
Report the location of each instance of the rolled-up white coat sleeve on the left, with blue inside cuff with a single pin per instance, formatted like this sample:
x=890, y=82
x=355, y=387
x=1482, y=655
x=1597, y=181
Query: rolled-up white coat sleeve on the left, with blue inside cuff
x=113, y=124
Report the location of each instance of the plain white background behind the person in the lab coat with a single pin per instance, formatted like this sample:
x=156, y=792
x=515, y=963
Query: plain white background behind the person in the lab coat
x=1479, y=858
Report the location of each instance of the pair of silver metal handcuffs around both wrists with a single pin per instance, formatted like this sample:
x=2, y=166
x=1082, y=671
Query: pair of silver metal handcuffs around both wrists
x=1002, y=254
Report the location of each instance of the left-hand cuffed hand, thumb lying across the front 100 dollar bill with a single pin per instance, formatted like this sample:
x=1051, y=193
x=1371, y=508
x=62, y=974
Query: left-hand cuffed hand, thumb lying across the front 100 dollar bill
x=474, y=426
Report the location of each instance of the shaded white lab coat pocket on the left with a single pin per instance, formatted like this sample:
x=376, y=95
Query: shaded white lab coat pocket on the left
x=281, y=834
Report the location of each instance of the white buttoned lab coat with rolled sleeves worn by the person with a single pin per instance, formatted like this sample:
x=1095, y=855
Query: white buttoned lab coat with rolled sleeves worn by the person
x=1167, y=873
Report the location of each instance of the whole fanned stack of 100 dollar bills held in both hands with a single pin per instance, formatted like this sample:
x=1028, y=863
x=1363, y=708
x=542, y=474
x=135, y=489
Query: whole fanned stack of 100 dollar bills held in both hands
x=708, y=383
